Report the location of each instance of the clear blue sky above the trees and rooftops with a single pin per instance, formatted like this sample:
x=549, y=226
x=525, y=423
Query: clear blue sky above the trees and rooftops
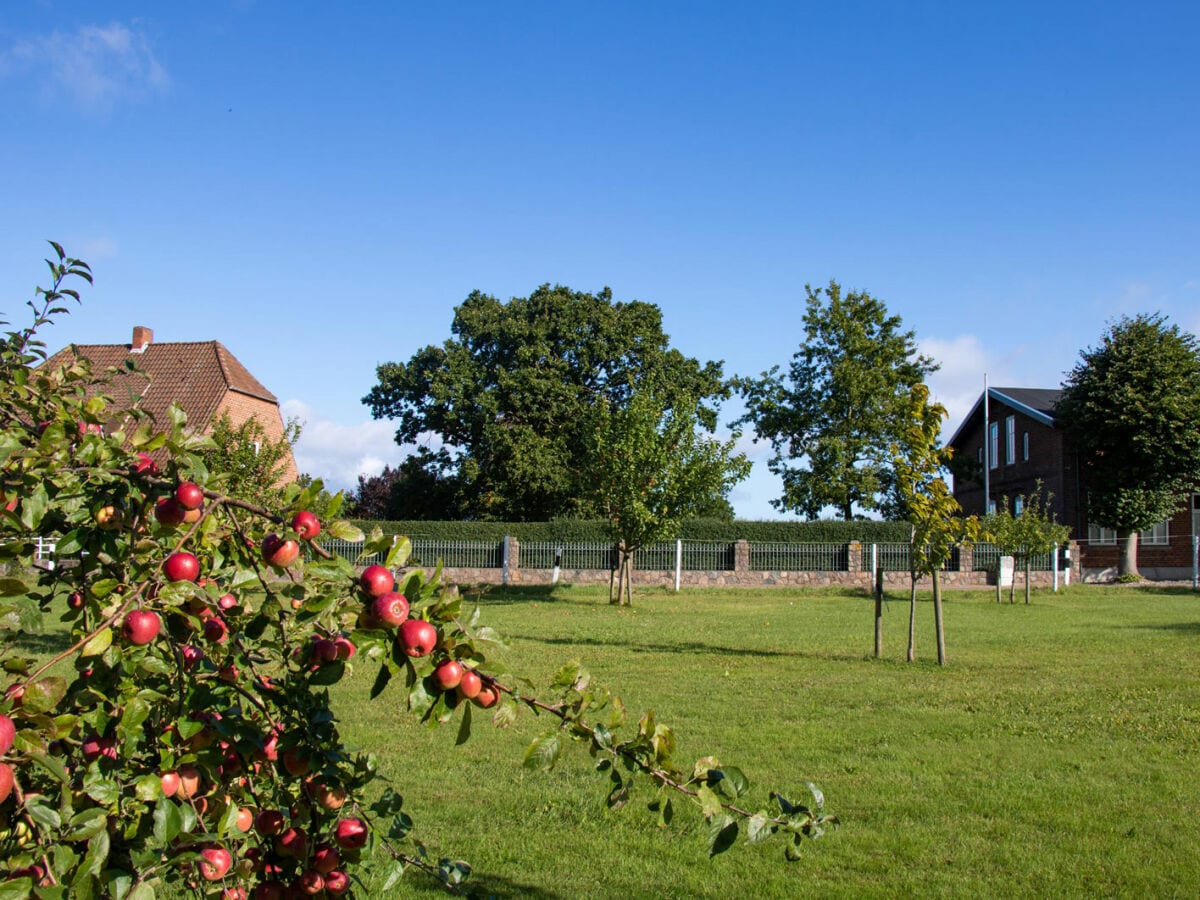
x=319, y=185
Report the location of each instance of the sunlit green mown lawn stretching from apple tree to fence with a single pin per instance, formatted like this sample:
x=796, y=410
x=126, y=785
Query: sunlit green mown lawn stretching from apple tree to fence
x=1057, y=755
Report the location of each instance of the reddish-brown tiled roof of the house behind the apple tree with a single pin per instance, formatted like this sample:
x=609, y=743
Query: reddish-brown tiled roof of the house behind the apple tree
x=196, y=375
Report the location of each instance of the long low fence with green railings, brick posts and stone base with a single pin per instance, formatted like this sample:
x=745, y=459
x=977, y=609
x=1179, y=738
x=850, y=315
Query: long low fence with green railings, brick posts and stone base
x=703, y=563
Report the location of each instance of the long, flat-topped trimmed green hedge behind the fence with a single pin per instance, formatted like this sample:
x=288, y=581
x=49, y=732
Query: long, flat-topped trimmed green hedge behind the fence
x=573, y=531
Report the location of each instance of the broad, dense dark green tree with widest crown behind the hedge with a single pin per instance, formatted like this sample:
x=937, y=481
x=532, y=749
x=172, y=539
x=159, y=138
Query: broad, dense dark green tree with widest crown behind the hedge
x=511, y=393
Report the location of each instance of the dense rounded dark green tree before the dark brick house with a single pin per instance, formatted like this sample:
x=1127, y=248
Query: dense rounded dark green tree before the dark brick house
x=1132, y=410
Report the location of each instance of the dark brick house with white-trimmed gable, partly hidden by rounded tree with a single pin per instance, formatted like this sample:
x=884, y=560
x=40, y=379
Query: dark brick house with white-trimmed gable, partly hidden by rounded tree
x=1022, y=446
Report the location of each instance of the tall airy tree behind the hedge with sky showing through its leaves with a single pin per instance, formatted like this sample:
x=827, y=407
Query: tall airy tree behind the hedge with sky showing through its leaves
x=832, y=417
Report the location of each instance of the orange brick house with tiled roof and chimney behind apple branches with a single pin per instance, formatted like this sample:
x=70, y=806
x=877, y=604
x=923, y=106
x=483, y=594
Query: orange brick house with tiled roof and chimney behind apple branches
x=202, y=377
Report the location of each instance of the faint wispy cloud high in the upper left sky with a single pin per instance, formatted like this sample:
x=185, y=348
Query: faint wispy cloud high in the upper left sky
x=95, y=67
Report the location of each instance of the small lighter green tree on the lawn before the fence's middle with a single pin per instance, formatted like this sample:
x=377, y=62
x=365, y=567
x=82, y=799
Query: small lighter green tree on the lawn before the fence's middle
x=651, y=469
